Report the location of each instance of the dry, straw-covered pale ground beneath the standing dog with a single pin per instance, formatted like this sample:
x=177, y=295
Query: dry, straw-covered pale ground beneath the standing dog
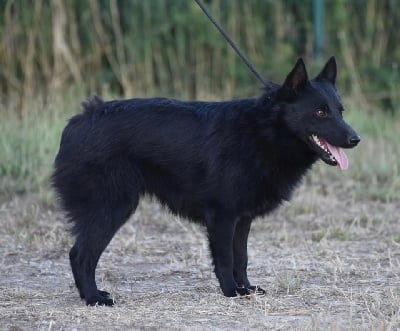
x=328, y=261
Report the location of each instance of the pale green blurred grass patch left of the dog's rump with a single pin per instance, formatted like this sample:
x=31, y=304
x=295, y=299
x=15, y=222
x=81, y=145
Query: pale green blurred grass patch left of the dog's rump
x=28, y=147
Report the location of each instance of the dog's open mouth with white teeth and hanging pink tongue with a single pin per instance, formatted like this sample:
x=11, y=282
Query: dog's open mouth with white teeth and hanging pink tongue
x=330, y=154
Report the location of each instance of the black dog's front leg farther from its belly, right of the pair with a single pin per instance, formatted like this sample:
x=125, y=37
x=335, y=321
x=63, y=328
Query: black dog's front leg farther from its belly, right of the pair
x=240, y=259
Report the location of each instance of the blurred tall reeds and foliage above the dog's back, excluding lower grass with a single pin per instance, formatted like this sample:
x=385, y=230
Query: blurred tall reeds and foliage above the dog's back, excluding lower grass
x=164, y=47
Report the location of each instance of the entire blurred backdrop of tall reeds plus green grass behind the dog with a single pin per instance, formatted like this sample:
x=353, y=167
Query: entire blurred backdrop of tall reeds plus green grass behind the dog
x=53, y=53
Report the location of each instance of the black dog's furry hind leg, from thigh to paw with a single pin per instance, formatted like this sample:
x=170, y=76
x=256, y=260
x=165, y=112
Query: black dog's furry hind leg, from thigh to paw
x=103, y=207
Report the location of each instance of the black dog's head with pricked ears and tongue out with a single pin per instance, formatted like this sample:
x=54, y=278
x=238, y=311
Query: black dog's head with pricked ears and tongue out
x=313, y=112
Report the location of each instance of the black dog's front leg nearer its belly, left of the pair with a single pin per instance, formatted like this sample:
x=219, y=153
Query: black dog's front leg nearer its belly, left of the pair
x=220, y=230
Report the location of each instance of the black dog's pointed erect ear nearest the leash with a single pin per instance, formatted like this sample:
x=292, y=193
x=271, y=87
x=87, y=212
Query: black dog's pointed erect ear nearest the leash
x=295, y=82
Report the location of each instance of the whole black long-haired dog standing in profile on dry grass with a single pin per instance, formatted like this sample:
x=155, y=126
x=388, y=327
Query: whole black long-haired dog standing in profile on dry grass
x=218, y=163
